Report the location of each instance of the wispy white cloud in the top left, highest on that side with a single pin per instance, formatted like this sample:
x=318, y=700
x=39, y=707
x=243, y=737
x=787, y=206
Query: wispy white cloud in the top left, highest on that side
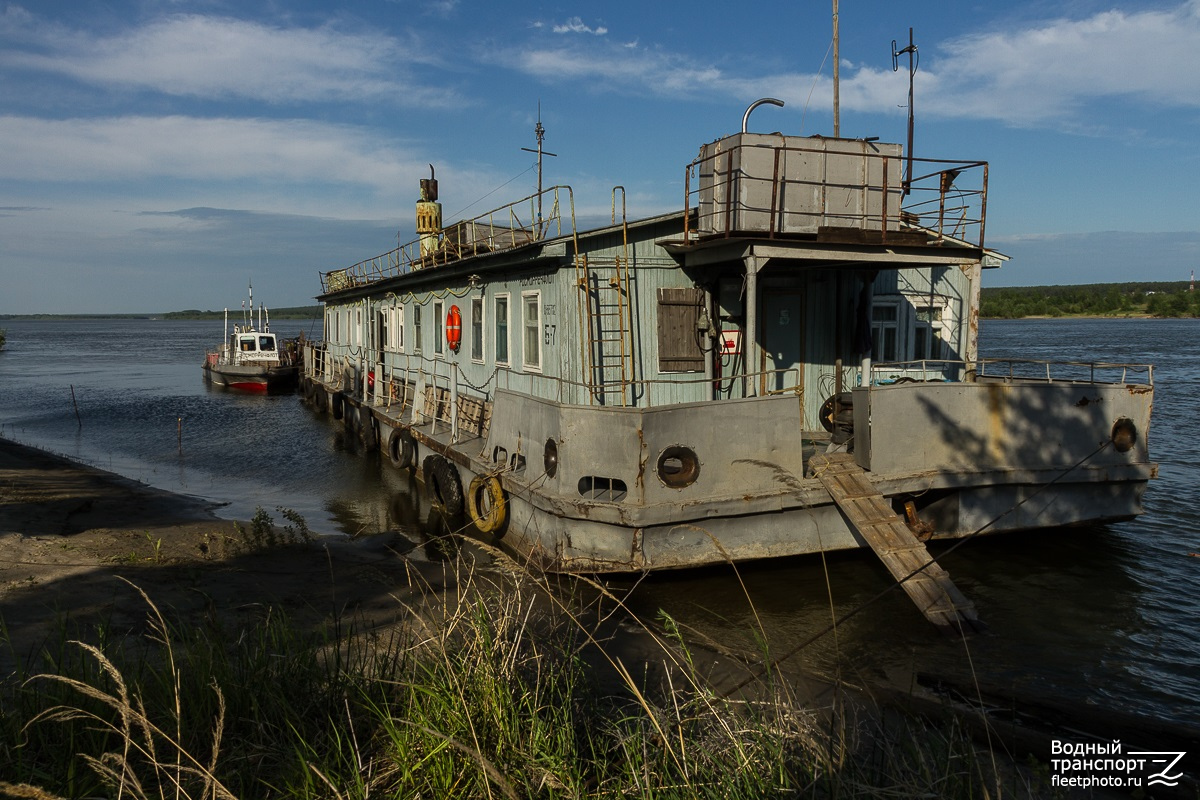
x=220, y=58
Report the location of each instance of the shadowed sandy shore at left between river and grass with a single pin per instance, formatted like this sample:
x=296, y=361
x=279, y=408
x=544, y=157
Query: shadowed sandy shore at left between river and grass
x=73, y=537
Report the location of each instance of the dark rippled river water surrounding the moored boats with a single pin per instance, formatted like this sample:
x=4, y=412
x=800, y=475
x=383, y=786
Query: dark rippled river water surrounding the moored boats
x=1107, y=617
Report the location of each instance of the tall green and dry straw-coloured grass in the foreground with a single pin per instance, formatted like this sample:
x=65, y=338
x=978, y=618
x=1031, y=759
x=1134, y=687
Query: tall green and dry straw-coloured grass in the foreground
x=494, y=693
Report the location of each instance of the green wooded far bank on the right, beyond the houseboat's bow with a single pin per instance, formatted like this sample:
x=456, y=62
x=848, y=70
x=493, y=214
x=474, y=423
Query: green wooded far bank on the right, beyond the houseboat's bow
x=1149, y=299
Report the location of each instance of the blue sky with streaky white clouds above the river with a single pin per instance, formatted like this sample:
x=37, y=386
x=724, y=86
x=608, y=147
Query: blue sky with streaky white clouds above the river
x=157, y=157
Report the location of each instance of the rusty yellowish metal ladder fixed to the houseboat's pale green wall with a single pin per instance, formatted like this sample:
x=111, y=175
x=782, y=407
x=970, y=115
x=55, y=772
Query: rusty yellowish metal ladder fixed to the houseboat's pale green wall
x=607, y=323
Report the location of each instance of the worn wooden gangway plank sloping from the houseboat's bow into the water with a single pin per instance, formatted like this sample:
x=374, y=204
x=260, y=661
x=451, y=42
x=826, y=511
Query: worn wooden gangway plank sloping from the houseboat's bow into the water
x=868, y=513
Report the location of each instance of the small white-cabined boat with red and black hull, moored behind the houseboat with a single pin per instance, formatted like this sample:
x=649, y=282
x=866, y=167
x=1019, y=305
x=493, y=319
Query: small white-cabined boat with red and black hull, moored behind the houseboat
x=253, y=359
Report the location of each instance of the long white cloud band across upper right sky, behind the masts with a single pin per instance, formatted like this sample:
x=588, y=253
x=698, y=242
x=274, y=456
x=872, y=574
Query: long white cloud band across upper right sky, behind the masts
x=1045, y=74
